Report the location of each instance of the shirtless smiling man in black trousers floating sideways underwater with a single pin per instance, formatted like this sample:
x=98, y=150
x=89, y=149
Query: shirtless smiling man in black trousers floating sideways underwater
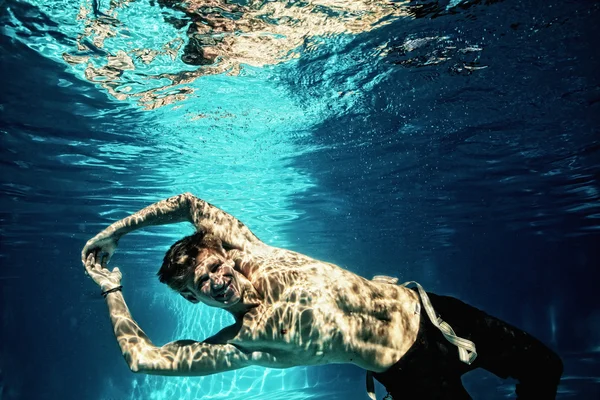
x=292, y=310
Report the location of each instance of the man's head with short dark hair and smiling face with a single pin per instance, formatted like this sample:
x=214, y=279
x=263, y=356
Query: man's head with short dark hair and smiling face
x=198, y=268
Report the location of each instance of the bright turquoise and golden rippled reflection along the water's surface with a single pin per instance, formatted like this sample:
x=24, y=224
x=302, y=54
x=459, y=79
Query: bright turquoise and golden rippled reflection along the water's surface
x=149, y=51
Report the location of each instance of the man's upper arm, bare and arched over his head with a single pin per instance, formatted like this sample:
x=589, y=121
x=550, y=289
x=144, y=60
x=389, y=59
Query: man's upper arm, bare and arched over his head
x=184, y=207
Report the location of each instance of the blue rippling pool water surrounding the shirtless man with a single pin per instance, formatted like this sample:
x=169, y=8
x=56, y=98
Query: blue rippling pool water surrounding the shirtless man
x=453, y=143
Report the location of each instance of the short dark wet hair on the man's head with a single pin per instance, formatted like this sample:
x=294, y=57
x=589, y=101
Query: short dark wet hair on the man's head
x=179, y=261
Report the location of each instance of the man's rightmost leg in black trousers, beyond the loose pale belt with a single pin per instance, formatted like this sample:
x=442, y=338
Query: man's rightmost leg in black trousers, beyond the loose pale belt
x=503, y=349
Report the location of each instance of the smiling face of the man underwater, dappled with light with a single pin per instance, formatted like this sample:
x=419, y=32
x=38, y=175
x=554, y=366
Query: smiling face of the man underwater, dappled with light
x=215, y=282
